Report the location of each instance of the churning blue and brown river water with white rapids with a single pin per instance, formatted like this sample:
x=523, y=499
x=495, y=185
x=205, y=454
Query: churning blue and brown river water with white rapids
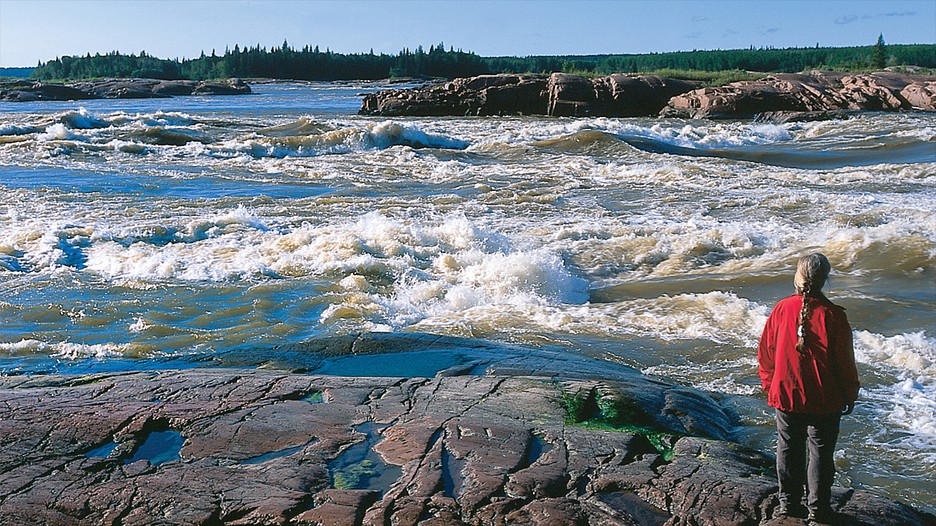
x=148, y=233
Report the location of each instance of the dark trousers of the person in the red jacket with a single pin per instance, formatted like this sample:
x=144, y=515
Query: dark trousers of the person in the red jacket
x=797, y=433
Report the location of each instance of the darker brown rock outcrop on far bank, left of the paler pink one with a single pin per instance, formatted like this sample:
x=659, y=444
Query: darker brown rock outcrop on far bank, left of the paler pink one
x=559, y=94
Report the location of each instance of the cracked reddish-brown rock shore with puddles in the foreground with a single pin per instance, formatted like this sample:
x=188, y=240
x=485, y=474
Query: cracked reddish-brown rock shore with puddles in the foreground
x=477, y=434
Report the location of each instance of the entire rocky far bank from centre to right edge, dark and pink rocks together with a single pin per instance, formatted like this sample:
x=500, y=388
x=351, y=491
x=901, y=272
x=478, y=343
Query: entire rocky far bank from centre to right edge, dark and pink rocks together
x=813, y=95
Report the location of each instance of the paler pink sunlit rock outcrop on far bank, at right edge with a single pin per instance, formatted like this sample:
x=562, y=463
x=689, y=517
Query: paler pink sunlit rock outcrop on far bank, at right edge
x=815, y=93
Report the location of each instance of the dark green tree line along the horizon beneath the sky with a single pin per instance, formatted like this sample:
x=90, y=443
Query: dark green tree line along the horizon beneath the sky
x=308, y=63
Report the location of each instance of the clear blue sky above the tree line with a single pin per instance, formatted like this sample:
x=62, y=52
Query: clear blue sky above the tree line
x=34, y=30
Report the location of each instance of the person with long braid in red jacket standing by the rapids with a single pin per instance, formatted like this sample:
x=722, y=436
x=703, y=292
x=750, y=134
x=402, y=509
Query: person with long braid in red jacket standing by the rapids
x=807, y=366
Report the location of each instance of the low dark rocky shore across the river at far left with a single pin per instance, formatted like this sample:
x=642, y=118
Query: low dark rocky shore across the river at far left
x=26, y=91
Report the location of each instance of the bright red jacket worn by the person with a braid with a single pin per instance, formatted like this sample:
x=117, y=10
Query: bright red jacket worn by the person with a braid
x=821, y=381
